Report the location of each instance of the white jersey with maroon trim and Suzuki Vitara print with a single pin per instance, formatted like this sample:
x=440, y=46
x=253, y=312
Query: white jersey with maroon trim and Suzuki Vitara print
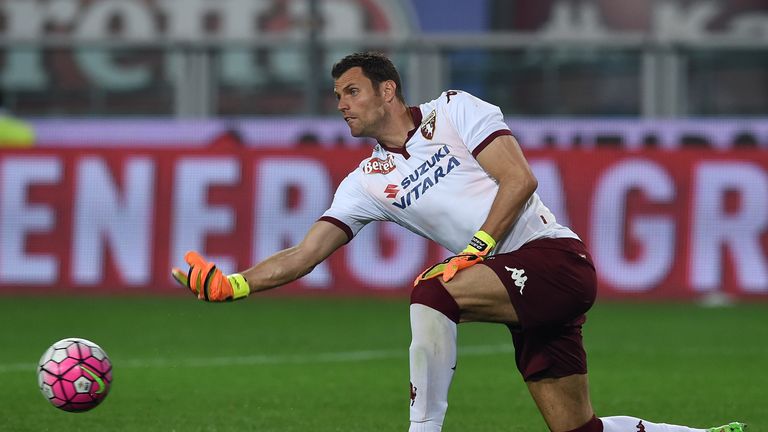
x=434, y=186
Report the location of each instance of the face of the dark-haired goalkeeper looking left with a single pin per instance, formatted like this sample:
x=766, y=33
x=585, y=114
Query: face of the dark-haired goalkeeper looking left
x=361, y=105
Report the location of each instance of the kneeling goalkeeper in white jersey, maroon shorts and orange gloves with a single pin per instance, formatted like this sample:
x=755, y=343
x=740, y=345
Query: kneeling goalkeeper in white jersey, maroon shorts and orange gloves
x=451, y=171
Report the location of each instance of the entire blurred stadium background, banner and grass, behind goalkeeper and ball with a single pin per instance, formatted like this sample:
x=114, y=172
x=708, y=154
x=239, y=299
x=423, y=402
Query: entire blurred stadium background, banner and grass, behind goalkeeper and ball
x=134, y=130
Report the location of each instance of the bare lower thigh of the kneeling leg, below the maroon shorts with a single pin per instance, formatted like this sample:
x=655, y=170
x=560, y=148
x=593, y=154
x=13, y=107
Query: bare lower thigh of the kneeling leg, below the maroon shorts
x=563, y=402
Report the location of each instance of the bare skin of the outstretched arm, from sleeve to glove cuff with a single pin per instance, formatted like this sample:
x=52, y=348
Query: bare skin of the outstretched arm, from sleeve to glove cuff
x=290, y=264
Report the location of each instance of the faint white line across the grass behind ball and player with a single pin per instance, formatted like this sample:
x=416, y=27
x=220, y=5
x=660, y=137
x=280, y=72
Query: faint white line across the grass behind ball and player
x=329, y=357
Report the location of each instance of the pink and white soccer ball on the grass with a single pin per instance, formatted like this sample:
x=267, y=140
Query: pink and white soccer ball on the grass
x=74, y=374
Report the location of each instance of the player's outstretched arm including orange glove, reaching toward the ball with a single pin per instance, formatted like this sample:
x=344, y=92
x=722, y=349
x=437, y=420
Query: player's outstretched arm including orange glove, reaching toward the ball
x=208, y=282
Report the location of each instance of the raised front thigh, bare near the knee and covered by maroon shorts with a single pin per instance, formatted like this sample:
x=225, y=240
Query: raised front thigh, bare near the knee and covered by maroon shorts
x=546, y=282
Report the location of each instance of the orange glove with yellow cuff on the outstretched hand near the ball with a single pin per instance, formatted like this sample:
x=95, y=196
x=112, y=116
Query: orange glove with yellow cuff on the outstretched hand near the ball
x=208, y=282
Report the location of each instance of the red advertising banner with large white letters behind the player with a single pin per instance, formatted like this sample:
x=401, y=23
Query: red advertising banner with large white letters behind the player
x=660, y=224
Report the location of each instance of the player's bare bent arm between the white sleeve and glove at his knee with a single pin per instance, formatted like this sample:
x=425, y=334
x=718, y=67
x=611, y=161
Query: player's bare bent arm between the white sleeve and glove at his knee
x=504, y=160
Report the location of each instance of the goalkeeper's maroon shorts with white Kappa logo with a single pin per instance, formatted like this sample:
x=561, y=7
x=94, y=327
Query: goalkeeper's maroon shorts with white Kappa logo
x=551, y=283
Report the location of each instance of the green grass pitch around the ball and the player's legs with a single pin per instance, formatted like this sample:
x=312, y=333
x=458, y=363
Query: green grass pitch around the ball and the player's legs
x=277, y=364
